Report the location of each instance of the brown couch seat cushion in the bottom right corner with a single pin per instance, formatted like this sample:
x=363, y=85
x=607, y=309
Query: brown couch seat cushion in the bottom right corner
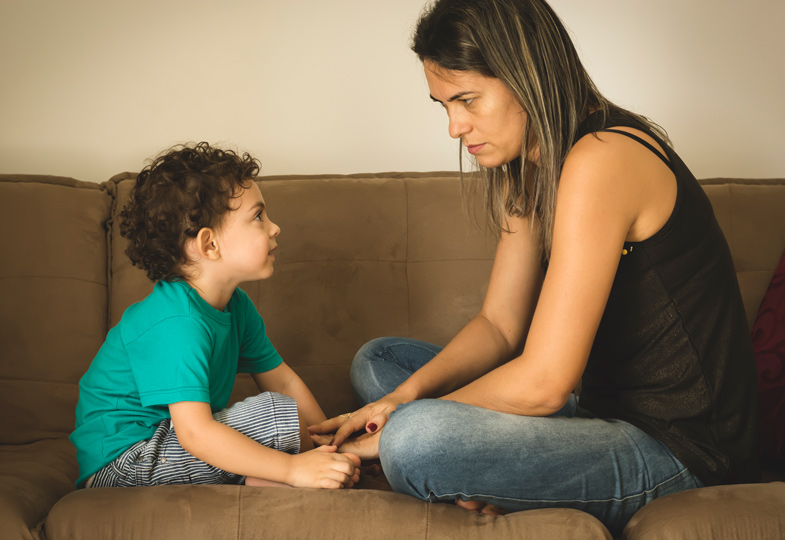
x=740, y=512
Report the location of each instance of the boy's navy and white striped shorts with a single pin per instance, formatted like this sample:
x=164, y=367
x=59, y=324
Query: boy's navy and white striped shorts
x=268, y=418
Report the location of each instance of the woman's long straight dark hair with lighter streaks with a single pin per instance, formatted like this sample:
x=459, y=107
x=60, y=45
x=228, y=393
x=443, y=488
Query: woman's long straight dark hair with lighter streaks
x=525, y=45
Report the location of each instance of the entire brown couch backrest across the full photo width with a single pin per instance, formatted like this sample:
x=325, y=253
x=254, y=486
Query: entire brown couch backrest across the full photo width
x=360, y=256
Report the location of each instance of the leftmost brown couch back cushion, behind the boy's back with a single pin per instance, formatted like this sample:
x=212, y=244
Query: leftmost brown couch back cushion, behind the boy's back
x=53, y=284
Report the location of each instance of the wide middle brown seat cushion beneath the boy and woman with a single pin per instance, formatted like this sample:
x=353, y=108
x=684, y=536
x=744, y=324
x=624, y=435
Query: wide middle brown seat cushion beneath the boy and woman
x=239, y=512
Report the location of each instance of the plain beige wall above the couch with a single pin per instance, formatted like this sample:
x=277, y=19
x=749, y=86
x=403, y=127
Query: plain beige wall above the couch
x=89, y=88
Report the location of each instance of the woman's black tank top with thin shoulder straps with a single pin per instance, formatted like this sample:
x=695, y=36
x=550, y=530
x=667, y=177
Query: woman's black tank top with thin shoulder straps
x=673, y=354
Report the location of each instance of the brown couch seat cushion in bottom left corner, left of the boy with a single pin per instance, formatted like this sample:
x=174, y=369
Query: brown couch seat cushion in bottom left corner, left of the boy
x=32, y=478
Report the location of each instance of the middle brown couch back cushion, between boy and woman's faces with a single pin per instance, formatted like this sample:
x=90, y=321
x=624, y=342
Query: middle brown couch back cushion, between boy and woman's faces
x=359, y=257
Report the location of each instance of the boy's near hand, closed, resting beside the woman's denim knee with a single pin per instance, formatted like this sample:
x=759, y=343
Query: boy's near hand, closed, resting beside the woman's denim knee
x=324, y=468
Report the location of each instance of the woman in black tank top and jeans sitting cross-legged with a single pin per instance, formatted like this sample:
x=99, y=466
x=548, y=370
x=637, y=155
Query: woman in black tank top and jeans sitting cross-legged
x=610, y=269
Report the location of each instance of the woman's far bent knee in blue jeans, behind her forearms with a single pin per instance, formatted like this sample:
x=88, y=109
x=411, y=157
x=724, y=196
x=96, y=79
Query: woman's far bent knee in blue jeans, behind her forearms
x=382, y=364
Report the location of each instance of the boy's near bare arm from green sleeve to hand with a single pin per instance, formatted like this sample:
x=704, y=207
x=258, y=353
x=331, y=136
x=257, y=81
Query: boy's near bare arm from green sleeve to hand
x=228, y=449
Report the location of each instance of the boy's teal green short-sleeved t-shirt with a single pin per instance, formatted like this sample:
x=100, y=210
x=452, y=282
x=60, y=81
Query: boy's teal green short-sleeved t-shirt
x=170, y=347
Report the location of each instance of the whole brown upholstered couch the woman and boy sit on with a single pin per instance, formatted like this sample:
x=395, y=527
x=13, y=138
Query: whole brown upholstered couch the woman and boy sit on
x=361, y=256
